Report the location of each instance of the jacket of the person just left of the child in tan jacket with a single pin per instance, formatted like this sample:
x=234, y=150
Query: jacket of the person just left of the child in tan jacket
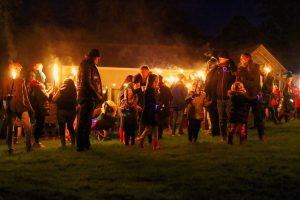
x=179, y=92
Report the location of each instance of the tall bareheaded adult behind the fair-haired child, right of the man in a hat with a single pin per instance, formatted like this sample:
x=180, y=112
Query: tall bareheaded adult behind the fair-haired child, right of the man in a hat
x=249, y=75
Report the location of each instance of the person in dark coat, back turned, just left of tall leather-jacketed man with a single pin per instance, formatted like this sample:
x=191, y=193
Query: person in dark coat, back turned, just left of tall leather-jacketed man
x=65, y=99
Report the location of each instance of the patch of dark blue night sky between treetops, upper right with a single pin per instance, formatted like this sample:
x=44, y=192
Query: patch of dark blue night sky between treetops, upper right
x=211, y=16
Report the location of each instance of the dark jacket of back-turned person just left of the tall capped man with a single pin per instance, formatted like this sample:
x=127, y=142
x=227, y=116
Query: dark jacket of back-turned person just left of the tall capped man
x=66, y=97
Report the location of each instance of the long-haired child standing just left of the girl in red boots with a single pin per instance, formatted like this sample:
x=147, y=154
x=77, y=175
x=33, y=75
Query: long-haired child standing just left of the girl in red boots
x=129, y=109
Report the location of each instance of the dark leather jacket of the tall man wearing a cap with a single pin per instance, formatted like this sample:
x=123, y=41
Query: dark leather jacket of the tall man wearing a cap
x=89, y=82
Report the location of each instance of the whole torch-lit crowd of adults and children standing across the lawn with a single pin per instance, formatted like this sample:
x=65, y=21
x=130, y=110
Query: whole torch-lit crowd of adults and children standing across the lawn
x=146, y=105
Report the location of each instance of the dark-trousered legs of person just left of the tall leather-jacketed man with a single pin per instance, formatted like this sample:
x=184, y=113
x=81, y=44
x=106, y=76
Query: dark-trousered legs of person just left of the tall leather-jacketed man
x=66, y=117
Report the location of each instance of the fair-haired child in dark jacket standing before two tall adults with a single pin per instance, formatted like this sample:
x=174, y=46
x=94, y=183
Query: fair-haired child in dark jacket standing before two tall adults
x=238, y=112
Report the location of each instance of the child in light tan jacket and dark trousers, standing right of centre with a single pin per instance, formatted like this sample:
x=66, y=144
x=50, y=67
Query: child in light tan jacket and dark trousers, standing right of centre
x=195, y=111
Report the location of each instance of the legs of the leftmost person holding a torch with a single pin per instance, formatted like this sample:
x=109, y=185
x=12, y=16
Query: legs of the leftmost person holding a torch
x=25, y=120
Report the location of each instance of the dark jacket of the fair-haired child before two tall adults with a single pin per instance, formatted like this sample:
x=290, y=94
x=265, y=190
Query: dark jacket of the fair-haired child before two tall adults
x=239, y=108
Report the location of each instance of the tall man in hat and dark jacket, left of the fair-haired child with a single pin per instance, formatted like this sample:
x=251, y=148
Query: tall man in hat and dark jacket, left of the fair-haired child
x=226, y=78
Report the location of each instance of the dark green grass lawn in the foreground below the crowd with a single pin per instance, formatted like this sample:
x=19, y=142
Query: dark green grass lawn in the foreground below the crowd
x=206, y=170
